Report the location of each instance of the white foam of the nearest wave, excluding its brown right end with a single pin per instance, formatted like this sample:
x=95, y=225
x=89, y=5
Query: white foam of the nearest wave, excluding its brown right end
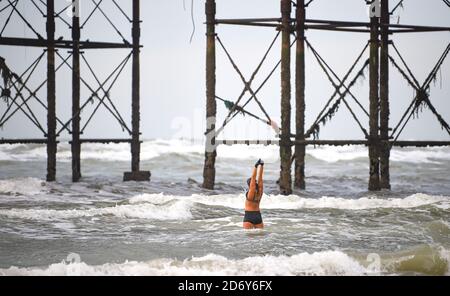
x=323, y=263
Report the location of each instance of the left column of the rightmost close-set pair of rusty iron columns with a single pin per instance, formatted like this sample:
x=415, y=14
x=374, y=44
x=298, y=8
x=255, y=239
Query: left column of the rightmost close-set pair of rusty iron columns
x=374, y=179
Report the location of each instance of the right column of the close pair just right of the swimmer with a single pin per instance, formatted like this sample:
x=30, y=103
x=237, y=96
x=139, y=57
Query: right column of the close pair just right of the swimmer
x=300, y=150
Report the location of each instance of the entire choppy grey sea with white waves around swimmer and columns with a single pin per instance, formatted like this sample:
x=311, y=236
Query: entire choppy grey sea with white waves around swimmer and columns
x=171, y=226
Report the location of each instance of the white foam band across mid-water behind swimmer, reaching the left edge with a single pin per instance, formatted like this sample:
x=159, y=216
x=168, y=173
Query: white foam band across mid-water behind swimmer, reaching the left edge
x=170, y=207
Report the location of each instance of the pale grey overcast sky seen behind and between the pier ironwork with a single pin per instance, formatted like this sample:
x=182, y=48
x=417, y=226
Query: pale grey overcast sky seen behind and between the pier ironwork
x=173, y=70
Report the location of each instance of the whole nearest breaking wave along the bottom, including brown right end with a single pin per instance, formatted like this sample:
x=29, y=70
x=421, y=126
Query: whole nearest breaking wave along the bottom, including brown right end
x=427, y=260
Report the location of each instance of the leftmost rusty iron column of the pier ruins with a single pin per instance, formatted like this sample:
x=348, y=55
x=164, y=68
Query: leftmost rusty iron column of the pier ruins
x=51, y=93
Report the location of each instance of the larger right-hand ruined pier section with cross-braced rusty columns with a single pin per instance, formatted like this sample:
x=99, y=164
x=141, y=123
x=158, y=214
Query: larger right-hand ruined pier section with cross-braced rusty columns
x=379, y=138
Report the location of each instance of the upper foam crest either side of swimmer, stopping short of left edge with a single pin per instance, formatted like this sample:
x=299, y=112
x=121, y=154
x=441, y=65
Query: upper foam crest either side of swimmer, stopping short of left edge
x=297, y=202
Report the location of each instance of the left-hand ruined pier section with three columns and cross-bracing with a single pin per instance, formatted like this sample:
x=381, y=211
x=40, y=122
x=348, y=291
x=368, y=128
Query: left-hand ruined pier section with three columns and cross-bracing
x=55, y=60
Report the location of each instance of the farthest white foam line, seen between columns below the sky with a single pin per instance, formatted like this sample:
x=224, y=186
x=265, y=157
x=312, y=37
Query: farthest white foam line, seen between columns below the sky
x=157, y=148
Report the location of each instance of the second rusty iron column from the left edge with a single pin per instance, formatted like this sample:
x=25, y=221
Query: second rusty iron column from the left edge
x=76, y=145
